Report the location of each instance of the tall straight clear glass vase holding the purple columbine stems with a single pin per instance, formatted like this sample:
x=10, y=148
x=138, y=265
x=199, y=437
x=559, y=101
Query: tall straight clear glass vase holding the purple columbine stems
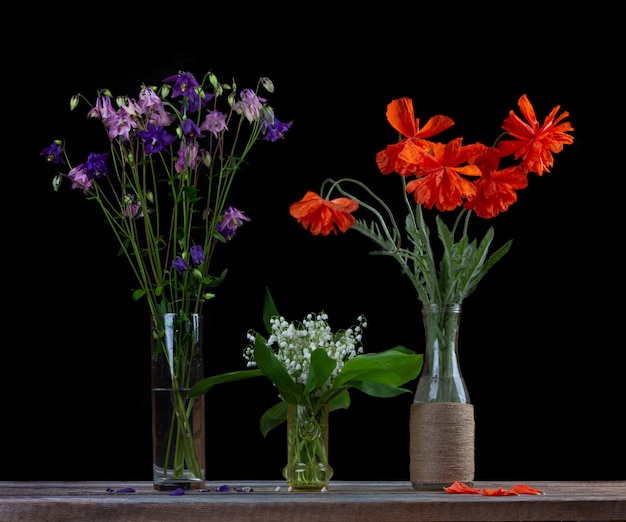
x=178, y=438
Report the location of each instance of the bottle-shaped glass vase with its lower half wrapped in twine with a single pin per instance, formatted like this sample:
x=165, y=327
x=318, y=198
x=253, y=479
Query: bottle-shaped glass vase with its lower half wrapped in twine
x=442, y=417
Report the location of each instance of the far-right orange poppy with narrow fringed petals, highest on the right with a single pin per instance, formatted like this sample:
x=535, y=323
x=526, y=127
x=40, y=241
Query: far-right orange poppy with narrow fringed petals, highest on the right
x=535, y=144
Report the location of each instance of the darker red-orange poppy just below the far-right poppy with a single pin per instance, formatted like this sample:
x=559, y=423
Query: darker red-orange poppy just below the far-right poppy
x=495, y=189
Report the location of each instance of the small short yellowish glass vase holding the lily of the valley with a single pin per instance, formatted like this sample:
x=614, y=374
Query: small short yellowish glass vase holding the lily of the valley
x=307, y=466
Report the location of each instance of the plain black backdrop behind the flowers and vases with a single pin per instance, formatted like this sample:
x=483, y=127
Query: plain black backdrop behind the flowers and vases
x=542, y=339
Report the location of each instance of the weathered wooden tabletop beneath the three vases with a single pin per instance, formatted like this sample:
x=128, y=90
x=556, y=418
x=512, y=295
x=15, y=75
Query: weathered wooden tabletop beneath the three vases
x=344, y=501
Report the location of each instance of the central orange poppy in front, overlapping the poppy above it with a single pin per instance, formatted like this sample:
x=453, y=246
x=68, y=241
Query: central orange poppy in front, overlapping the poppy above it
x=440, y=177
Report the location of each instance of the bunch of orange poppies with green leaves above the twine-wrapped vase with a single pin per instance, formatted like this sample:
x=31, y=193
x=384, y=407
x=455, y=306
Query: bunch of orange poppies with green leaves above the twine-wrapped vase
x=472, y=178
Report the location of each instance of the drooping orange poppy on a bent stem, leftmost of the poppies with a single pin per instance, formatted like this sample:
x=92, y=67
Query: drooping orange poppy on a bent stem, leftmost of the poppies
x=322, y=216
